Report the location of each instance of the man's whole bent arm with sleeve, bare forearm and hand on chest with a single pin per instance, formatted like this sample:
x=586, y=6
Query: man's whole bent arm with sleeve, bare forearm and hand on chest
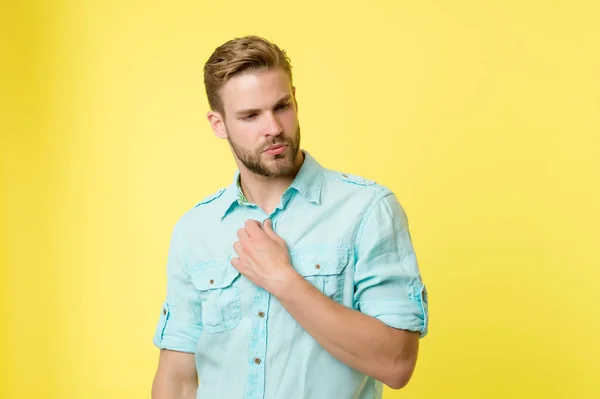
x=380, y=336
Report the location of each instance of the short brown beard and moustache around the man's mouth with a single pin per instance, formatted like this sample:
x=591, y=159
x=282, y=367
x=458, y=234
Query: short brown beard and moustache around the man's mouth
x=280, y=165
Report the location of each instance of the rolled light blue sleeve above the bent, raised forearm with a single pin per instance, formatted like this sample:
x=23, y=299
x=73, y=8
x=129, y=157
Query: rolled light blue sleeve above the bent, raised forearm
x=388, y=284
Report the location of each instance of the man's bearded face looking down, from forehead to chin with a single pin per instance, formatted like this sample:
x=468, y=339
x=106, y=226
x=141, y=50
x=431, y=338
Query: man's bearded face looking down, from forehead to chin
x=261, y=121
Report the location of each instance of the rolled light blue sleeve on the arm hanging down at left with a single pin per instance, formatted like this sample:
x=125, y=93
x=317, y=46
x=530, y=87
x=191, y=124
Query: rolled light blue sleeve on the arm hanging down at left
x=180, y=321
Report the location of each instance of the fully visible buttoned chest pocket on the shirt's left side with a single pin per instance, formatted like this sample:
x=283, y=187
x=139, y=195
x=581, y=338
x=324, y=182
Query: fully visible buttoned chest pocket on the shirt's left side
x=218, y=286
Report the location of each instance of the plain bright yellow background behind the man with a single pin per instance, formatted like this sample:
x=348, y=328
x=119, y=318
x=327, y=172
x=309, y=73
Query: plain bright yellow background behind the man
x=483, y=117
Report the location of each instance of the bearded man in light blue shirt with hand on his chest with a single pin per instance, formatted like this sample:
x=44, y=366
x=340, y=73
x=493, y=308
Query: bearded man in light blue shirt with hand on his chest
x=295, y=281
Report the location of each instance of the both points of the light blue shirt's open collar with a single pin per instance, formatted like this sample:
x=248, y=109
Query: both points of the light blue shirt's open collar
x=308, y=182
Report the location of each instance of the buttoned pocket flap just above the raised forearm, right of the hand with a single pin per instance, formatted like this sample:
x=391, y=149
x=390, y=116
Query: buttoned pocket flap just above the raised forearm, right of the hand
x=320, y=261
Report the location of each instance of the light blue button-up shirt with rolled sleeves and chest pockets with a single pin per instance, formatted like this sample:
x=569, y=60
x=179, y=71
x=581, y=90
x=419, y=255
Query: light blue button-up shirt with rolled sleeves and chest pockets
x=347, y=235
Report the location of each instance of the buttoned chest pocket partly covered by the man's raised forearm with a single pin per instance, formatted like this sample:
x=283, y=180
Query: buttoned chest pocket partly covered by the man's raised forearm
x=323, y=267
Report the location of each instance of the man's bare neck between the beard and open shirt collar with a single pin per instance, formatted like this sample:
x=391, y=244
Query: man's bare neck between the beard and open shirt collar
x=264, y=191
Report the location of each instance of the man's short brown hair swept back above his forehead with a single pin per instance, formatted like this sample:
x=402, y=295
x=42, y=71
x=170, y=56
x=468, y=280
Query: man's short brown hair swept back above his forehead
x=237, y=56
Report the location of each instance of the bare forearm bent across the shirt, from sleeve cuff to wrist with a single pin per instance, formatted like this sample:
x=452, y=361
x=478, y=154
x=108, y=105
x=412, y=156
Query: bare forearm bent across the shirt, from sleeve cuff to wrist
x=358, y=340
